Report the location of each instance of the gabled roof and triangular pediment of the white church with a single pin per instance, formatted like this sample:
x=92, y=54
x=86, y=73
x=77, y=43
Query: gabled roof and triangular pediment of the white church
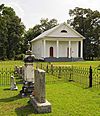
x=50, y=32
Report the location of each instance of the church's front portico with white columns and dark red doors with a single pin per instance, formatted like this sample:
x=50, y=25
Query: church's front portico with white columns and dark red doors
x=68, y=48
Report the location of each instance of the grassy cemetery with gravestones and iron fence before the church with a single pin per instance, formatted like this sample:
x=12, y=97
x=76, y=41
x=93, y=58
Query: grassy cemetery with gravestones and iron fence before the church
x=30, y=87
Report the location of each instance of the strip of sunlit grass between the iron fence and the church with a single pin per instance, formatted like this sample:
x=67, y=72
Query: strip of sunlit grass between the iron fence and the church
x=11, y=64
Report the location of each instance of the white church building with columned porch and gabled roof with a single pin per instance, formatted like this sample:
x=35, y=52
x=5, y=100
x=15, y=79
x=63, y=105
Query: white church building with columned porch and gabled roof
x=61, y=43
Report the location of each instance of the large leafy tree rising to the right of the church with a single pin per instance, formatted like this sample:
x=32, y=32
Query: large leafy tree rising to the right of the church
x=87, y=23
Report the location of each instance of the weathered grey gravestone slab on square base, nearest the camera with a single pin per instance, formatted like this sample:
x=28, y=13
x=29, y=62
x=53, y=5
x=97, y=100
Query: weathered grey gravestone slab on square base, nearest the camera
x=39, y=102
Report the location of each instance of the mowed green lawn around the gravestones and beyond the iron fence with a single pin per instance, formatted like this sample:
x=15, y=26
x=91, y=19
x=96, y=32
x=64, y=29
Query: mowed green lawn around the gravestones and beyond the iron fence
x=67, y=99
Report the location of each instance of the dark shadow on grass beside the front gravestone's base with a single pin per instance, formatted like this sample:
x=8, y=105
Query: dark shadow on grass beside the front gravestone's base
x=25, y=110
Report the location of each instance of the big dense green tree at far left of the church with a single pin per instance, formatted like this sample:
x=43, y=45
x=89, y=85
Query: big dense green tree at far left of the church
x=11, y=31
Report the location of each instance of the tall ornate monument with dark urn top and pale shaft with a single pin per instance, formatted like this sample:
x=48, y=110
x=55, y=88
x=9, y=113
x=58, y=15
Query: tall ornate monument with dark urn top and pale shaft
x=28, y=77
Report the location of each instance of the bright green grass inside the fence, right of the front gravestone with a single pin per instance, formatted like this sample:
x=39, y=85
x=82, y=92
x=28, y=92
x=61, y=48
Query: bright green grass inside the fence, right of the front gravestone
x=70, y=100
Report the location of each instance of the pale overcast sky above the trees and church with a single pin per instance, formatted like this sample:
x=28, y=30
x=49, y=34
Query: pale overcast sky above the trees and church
x=31, y=11
